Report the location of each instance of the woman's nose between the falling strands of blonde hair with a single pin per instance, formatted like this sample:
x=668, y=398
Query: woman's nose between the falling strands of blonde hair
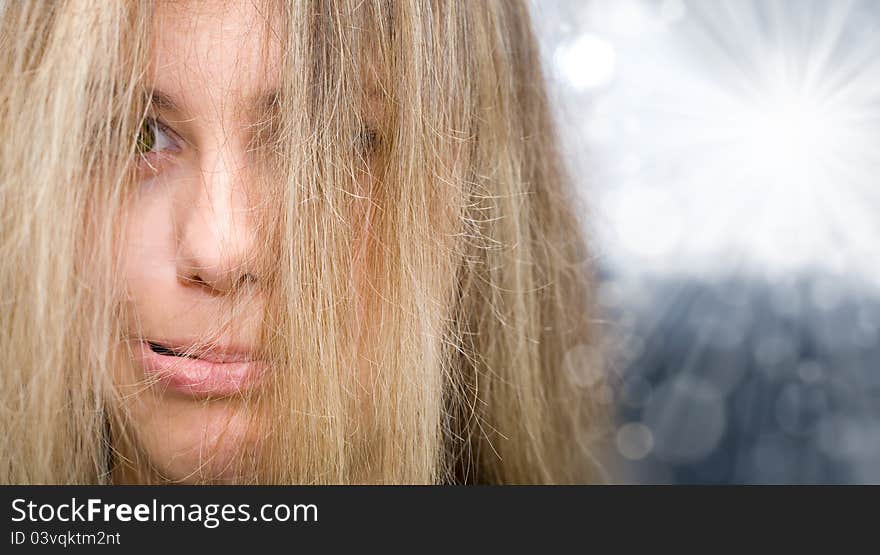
x=215, y=228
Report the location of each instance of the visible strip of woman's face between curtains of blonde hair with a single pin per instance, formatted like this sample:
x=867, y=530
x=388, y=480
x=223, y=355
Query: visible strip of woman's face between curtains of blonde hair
x=190, y=240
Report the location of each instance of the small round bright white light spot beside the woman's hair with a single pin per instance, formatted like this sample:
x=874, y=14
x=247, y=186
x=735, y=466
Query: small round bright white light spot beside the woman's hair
x=587, y=63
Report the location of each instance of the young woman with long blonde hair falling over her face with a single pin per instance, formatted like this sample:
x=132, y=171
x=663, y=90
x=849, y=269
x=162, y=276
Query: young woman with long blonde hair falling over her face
x=317, y=241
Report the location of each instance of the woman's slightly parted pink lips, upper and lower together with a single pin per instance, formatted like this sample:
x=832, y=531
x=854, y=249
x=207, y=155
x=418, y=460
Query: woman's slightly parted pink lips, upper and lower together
x=215, y=372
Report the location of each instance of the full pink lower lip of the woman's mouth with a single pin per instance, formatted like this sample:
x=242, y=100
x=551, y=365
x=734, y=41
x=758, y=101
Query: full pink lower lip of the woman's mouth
x=196, y=377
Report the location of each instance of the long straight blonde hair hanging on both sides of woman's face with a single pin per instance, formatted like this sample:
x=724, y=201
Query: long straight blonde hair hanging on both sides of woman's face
x=468, y=296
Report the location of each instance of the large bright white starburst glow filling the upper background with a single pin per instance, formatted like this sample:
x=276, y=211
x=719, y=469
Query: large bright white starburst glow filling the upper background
x=755, y=134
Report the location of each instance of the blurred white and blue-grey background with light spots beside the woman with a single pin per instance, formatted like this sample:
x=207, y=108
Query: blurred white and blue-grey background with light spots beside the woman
x=728, y=152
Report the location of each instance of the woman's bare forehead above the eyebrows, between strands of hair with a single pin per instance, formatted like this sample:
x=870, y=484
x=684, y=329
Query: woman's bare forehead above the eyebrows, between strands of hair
x=208, y=51
